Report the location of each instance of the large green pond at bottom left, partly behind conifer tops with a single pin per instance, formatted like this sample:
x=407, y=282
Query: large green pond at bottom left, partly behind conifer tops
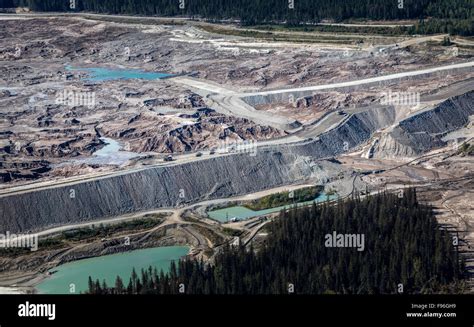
x=108, y=267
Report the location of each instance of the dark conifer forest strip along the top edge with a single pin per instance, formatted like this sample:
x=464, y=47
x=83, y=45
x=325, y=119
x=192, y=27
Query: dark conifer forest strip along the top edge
x=435, y=16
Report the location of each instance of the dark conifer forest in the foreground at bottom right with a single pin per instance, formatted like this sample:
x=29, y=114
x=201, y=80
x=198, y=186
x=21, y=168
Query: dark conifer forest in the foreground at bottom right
x=403, y=245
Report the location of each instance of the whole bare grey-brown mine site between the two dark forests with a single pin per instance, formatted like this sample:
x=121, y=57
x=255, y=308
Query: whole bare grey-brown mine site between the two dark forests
x=106, y=121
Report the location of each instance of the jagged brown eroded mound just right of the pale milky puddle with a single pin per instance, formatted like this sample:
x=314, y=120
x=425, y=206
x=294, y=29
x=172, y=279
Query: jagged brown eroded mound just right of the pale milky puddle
x=193, y=131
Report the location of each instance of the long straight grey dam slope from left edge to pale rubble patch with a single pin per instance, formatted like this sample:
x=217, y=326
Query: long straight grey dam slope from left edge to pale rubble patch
x=152, y=188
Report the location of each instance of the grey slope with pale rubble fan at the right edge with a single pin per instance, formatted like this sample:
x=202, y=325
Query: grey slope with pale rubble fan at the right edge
x=424, y=131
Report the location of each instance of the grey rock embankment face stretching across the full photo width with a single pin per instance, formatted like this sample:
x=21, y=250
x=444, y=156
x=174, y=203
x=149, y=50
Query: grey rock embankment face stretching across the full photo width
x=224, y=176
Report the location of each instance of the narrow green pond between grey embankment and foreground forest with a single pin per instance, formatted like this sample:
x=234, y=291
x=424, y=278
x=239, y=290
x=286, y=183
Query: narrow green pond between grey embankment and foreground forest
x=242, y=213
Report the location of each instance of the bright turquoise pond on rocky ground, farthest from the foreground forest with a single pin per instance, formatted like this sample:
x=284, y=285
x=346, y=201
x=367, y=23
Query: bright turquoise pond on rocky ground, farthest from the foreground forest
x=98, y=74
